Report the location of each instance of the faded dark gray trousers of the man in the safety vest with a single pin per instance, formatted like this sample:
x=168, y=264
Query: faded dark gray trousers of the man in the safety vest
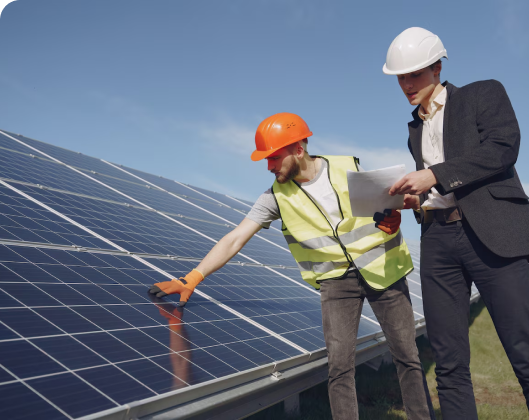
x=341, y=302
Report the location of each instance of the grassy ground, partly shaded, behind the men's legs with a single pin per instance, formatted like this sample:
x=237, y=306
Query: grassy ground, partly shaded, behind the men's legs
x=498, y=394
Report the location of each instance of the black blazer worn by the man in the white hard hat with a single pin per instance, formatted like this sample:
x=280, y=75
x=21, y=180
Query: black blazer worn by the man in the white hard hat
x=481, y=139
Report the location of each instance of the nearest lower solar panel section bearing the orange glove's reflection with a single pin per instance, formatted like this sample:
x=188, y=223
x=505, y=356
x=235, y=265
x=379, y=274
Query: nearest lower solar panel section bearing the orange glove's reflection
x=84, y=312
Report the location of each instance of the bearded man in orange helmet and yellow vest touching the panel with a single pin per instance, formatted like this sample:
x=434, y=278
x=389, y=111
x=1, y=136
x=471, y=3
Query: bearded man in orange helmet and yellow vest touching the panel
x=348, y=258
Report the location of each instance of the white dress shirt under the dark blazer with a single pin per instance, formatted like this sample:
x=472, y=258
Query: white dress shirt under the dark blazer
x=432, y=149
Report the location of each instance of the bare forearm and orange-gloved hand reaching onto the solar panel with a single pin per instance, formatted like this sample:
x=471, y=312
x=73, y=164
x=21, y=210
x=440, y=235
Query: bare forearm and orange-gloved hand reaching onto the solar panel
x=219, y=255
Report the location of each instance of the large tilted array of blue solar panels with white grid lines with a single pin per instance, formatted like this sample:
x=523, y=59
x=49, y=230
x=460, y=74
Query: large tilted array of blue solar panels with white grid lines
x=80, y=241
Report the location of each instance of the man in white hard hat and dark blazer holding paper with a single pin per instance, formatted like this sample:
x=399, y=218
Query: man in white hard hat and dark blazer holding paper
x=473, y=212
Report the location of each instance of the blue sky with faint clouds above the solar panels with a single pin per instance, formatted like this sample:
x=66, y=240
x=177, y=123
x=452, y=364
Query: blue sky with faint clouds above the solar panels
x=177, y=88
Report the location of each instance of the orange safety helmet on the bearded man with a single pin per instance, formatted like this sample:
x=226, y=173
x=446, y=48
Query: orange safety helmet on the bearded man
x=278, y=131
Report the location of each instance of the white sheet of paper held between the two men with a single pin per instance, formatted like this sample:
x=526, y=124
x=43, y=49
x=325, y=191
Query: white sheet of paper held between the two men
x=368, y=190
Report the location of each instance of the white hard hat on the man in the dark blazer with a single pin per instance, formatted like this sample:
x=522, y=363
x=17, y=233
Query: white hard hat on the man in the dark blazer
x=412, y=50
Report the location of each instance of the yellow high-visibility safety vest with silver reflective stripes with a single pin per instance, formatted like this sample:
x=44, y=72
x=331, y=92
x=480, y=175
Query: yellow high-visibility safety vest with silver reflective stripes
x=323, y=252
